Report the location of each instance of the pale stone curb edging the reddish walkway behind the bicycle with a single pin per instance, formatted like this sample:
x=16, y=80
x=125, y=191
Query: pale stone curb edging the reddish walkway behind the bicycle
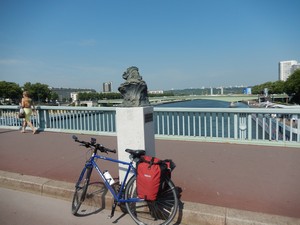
x=189, y=213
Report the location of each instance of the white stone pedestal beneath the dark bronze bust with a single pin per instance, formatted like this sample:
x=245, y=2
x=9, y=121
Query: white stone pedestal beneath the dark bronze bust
x=135, y=130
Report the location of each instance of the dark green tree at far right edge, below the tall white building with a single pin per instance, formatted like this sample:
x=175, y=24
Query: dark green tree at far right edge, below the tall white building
x=292, y=86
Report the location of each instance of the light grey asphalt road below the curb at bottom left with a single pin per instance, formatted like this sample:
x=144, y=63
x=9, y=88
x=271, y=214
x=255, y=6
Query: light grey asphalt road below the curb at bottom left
x=23, y=208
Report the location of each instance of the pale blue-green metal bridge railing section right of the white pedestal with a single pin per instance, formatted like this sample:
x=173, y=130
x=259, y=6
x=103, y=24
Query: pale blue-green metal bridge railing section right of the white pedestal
x=241, y=125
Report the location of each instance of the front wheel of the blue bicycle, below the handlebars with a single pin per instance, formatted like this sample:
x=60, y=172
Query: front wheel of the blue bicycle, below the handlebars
x=81, y=189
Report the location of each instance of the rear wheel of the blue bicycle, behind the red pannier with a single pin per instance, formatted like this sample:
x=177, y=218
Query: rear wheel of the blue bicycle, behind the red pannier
x=159, y=212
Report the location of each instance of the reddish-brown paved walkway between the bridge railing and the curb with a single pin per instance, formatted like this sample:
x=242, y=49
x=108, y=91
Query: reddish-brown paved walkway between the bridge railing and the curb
x=254, y=178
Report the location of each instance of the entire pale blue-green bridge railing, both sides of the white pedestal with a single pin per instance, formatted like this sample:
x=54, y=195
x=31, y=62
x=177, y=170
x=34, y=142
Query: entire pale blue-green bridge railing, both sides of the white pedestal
x=265, y=126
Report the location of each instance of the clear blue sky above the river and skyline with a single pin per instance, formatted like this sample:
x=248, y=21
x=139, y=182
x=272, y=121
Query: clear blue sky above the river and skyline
x=176, y=44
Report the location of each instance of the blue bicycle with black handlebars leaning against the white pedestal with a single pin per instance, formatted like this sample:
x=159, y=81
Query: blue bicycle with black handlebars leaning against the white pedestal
x=161, y=211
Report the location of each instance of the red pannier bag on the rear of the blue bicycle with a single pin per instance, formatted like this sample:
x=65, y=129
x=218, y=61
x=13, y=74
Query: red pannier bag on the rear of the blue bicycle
x=151, y=173
